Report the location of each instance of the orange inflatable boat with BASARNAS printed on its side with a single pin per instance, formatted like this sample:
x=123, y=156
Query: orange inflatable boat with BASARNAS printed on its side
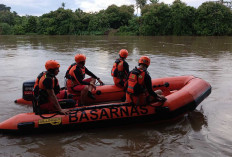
x=183, y=94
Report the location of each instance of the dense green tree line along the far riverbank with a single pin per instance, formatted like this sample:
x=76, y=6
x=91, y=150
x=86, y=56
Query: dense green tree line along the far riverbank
x=156, y=19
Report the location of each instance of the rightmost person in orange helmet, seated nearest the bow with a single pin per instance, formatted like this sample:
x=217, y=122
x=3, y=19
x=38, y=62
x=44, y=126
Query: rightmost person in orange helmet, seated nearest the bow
x=139, y=86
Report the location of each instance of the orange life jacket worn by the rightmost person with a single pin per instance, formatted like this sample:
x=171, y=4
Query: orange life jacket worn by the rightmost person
x=136, y=83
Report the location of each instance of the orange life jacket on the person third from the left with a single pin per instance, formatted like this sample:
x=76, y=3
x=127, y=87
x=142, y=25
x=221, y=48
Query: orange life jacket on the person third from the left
x=118, y=69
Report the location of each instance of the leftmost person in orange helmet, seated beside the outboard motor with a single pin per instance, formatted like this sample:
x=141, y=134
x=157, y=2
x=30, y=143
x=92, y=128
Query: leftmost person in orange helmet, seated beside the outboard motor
x=45, y=89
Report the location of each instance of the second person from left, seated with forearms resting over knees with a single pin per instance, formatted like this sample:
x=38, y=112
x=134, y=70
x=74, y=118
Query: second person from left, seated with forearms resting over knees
x=75, y=79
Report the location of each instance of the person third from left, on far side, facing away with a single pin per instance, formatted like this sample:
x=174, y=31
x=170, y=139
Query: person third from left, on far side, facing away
x=120, y=69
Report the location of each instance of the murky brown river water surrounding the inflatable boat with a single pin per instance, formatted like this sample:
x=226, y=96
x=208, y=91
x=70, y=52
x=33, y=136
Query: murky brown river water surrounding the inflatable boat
x=205, y=132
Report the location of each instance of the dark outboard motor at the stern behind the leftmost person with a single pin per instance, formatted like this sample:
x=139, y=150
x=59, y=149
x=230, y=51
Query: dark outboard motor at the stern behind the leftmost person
x=28, y=90
